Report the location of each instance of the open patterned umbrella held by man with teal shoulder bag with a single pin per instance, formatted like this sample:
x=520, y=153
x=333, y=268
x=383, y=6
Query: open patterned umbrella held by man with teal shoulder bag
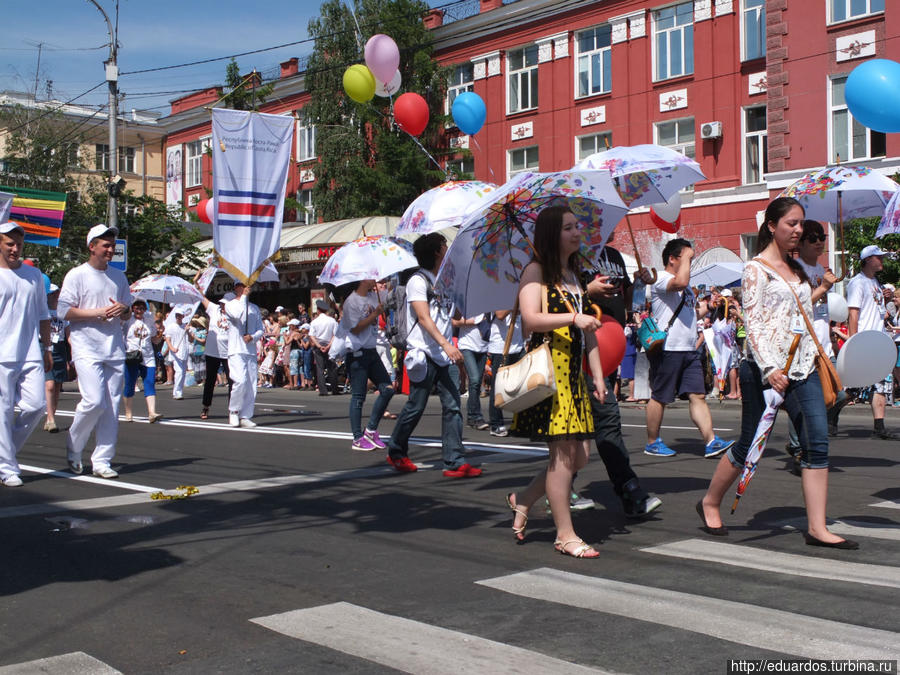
x=644, y=175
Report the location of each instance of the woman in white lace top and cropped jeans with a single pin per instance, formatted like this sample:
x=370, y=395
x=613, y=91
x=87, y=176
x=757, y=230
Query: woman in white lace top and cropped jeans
x=771, y=317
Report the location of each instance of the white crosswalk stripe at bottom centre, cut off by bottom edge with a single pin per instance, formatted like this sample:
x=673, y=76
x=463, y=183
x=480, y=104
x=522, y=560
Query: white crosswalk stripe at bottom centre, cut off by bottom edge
x=409, y=646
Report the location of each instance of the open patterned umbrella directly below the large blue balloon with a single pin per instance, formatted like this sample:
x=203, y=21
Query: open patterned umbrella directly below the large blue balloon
x=838, y=192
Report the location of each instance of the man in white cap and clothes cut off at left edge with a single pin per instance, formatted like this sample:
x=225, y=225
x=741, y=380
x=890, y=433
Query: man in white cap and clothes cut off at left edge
x=23, y=361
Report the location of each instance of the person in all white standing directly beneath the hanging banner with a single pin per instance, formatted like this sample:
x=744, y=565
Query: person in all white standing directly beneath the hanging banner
x=242, y=365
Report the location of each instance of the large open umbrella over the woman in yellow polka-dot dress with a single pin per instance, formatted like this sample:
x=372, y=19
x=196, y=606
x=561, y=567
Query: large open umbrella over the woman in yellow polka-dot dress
x=482, y=268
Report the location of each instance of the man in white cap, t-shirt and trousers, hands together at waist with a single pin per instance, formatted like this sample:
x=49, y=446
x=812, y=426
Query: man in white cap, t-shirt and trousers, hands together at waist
x=95, y=299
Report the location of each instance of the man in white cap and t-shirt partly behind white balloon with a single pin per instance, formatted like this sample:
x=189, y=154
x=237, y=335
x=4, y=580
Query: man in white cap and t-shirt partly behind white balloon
x=867, y=300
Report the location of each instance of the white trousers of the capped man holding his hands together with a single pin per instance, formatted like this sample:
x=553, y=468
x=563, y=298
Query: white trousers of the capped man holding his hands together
x=100, y=384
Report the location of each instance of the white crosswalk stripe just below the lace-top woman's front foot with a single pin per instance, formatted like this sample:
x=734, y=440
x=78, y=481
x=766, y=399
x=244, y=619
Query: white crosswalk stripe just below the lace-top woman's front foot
x=784, y=563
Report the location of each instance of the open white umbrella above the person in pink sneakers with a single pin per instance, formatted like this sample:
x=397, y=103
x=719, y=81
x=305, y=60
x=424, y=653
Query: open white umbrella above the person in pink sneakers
x=368, y=258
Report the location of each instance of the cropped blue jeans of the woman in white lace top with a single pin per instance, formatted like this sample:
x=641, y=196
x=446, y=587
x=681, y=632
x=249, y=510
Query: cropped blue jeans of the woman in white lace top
x=805, y=405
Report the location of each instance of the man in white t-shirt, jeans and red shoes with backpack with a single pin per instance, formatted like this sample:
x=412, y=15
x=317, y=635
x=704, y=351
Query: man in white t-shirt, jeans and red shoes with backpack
x=431, y=360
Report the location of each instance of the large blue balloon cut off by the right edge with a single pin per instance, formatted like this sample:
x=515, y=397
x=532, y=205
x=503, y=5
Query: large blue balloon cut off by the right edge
x=873, y=94
